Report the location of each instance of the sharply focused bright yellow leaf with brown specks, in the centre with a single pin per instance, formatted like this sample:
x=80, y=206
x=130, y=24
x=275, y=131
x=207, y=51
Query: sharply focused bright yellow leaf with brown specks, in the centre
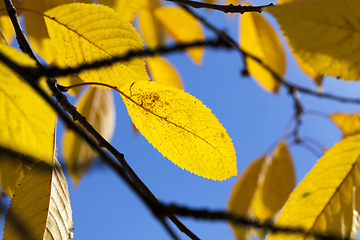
x=181, y=128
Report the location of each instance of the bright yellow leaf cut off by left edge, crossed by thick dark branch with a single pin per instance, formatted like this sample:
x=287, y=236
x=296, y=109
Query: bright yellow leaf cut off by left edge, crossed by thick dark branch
x=26, y=120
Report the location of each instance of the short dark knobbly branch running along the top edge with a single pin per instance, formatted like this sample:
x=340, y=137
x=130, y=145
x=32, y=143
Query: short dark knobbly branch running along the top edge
x=223, y=8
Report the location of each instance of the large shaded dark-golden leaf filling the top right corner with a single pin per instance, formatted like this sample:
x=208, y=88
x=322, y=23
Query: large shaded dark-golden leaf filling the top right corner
x=325, y=34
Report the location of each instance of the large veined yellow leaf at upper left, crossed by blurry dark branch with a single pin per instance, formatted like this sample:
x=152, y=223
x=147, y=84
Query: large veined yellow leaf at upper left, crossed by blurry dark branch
x=84, y=33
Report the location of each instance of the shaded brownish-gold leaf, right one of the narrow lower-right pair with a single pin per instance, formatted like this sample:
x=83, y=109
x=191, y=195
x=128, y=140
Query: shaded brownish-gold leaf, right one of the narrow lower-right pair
x=279, y=181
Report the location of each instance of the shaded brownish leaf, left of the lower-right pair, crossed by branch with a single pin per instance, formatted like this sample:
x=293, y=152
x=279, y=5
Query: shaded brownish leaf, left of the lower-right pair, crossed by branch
x=242, y=195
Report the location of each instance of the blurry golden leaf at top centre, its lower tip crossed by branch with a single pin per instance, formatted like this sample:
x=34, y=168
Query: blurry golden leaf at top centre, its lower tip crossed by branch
x=183, y=27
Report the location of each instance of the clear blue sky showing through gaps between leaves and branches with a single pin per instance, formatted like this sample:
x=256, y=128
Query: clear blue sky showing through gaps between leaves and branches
x=105, y=208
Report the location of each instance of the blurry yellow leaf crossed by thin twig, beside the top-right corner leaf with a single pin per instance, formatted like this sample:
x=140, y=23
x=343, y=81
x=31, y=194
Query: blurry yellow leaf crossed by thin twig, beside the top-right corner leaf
x=260, y=39
